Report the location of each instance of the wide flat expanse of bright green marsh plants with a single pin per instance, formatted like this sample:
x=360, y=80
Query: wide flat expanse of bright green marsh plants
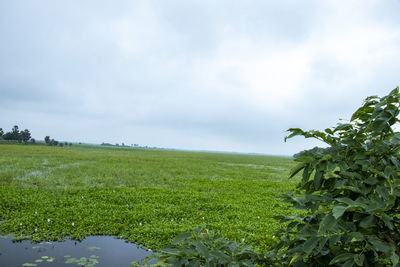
x=144, y=196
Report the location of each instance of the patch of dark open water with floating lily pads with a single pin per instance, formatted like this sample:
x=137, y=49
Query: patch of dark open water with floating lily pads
x=98, y=251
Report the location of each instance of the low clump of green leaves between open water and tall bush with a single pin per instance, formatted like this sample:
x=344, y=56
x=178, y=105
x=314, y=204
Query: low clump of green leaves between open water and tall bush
x=205, y=248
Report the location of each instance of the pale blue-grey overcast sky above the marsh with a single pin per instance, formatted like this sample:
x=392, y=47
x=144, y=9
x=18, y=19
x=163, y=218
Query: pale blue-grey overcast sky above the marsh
x=222, y=75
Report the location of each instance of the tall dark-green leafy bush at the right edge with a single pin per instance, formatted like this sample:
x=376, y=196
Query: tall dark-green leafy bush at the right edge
x=349, y=191
